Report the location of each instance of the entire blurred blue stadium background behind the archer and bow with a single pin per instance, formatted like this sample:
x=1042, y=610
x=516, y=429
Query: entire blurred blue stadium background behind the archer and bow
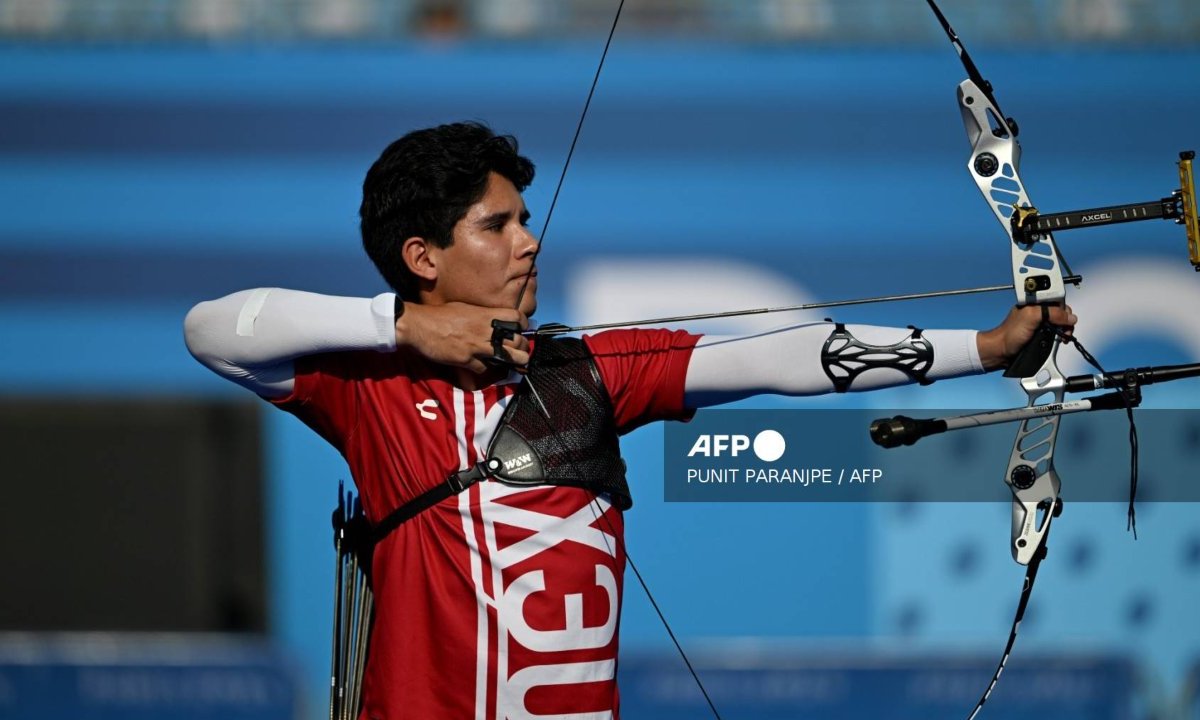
x=166, y=543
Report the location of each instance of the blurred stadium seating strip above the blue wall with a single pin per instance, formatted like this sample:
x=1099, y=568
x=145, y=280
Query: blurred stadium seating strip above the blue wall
x=877, y=22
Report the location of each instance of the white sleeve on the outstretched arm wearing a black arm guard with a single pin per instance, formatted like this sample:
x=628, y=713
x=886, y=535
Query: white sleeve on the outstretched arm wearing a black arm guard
x=788, y=362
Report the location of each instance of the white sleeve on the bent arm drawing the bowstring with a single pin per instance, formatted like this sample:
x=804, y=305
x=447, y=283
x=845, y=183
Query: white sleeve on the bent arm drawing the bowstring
x=251, y=338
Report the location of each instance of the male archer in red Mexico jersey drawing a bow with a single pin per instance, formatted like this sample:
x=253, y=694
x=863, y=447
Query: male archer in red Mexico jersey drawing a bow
x=499, y=496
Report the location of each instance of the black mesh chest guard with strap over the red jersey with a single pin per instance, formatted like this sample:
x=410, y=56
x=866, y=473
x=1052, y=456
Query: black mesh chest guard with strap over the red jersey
x=557, y=429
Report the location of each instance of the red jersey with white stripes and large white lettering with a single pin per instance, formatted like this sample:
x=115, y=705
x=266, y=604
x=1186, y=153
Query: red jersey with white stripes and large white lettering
x=501, y=603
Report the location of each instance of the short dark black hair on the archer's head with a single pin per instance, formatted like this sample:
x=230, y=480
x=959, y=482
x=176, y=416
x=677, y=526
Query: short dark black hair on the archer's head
x=423, y=185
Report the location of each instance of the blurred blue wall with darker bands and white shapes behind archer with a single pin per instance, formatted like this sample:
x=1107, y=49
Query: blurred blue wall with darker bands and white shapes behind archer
x=136, y=182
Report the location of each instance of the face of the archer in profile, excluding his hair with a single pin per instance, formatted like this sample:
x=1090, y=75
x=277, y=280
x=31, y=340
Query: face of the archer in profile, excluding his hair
x=491, y=254
